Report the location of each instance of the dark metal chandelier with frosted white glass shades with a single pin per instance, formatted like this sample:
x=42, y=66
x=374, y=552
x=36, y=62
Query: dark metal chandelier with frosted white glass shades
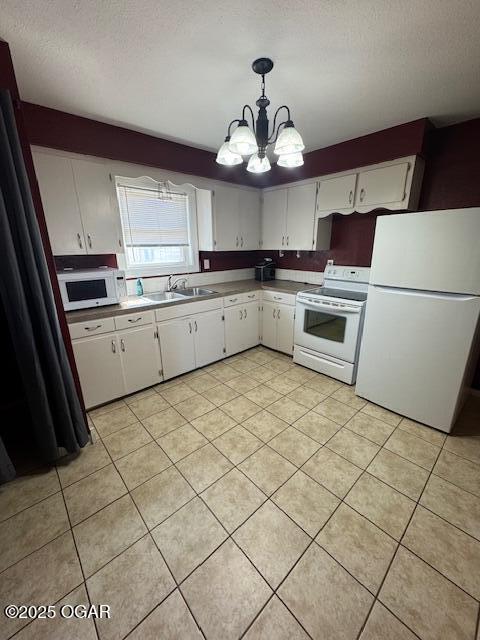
x=254, y=141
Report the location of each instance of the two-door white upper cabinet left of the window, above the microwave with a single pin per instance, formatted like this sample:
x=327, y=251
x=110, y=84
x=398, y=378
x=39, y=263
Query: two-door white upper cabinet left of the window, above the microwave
x=80, y=204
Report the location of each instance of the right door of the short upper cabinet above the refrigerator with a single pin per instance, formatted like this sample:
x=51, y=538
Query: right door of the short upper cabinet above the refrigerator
x=382, y=186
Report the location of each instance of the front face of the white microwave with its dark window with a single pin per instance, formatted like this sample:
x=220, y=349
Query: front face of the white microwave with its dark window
x=84, y=292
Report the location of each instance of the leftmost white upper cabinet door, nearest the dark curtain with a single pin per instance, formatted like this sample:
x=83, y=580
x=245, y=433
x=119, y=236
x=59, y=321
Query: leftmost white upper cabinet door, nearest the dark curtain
x=60, y=203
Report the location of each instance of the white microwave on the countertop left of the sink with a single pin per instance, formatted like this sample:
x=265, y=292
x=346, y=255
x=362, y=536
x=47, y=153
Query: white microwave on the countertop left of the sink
x=86, y=288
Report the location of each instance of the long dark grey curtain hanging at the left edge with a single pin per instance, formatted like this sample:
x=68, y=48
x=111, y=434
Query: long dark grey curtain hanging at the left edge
x=57, y=421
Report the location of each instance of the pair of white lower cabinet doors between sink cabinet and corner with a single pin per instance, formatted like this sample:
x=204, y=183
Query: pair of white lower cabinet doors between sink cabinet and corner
x=241, y=327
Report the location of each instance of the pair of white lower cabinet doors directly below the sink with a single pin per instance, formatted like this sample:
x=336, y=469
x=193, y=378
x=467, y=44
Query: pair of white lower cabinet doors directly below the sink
x=191, y=342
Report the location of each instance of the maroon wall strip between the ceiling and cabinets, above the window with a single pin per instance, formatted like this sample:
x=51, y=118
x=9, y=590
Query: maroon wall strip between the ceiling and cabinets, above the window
x=59, y=130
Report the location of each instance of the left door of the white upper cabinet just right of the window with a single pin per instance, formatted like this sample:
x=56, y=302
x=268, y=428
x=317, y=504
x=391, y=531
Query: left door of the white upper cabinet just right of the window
x=227, y=227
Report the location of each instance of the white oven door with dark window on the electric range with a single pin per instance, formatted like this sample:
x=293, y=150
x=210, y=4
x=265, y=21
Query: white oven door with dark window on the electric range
x=327, y=329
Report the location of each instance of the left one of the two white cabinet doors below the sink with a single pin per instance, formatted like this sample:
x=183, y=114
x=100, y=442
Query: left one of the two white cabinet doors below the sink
x=176, y=346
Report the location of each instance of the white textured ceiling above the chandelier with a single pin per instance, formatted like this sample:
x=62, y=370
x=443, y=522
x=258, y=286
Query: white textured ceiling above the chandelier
x=181, y=70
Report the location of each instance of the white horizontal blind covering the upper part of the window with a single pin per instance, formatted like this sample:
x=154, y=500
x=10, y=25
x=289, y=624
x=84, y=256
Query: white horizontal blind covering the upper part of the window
x=152, y=217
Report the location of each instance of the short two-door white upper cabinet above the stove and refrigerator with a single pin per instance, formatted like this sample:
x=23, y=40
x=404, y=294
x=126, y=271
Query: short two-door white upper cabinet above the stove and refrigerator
x=391, y=185
